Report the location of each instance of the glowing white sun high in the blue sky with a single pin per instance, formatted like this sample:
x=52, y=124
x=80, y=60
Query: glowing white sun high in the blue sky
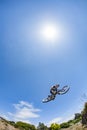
x=49, y=32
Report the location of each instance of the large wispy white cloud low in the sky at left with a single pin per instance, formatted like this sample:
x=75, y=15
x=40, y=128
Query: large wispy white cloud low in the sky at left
x=23, y=112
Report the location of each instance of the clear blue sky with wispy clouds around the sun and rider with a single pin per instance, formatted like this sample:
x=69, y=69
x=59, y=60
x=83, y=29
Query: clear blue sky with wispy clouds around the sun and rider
x=30, y=65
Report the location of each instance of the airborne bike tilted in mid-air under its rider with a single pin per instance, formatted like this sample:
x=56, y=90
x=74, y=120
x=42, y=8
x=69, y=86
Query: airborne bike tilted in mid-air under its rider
x=62, y=91
